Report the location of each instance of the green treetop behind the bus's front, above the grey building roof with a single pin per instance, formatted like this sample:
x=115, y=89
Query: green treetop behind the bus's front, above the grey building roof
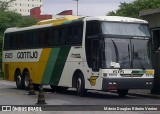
x=133, y=9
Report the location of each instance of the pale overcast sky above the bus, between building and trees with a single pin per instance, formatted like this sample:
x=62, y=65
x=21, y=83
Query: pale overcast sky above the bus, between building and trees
x=85, y=7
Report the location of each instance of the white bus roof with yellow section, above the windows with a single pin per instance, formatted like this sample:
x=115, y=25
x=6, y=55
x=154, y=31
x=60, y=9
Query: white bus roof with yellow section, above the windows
x=64, y=19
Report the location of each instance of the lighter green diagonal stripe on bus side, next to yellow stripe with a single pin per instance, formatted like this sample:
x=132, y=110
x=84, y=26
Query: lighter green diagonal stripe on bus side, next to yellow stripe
x=50, y=65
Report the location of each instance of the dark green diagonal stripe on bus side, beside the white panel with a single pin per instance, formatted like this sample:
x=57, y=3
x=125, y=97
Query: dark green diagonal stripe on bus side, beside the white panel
x=59, y=65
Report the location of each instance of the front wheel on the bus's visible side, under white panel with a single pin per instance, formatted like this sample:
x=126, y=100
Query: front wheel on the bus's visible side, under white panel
x=80, y=85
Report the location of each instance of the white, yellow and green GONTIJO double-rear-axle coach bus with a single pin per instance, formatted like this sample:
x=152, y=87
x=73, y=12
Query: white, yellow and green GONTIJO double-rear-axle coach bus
x=87, y=53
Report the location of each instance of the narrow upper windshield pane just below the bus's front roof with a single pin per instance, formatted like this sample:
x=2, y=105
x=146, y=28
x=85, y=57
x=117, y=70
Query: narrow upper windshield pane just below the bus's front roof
x=129, y=29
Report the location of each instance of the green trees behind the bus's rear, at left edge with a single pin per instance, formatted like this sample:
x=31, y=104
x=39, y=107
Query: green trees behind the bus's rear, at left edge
x=11, y=19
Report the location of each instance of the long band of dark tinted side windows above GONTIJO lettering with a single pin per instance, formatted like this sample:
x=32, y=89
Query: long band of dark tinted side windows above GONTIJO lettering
x=52, y=36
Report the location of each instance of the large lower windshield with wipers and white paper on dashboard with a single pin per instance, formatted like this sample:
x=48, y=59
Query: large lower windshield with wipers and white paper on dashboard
x=126, y=53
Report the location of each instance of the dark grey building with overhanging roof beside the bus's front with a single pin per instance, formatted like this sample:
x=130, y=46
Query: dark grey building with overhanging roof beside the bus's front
x=153, y=18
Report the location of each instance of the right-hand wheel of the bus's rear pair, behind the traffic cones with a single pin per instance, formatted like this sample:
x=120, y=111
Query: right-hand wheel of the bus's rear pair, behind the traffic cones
x=26, y=80
